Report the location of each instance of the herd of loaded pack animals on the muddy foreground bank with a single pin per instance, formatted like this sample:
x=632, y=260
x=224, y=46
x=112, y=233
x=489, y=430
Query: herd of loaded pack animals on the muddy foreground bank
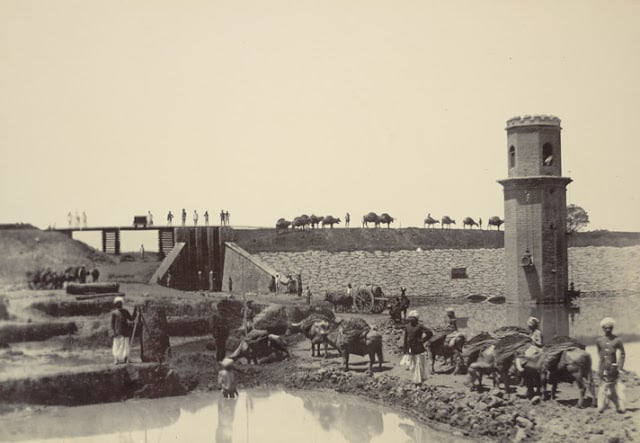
x=492, y=354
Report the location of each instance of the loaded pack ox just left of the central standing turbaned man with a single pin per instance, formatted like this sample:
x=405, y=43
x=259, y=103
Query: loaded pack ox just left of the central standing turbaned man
x=355, y=336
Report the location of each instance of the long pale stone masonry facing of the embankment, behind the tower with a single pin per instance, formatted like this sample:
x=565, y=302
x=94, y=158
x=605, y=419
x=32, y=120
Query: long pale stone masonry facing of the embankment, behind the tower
x=428, y=273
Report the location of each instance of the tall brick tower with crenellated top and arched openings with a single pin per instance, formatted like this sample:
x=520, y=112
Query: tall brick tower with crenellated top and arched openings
x=535, y=213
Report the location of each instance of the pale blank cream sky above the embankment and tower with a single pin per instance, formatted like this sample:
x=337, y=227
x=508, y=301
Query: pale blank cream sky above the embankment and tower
x=274, y=109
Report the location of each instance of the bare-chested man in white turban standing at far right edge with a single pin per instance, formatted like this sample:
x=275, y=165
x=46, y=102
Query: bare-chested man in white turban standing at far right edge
x=611, y=388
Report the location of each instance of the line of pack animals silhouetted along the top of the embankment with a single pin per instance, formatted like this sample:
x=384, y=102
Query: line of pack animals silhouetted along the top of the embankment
x=313, y=221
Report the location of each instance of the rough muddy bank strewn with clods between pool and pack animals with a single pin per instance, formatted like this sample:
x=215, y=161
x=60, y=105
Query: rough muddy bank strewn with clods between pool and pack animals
x=489, y=415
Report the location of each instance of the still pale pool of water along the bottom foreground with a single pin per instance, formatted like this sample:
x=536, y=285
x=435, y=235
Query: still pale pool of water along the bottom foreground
x=255, y=416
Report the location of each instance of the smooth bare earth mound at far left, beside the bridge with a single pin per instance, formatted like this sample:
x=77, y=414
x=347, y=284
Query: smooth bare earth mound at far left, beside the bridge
x=26, y=250
